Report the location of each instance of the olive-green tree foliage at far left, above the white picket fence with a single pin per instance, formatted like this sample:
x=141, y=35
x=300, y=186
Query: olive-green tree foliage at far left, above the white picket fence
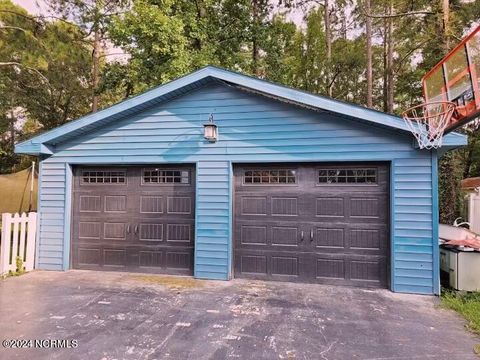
x=42, y=76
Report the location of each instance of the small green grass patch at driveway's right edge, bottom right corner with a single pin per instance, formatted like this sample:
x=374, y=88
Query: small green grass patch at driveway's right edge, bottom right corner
x=466, y=304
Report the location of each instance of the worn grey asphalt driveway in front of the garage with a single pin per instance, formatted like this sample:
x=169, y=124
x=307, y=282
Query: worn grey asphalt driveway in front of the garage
x=130, y=316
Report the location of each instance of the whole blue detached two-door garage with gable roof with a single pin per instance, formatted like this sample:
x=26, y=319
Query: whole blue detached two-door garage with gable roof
x=220, y=175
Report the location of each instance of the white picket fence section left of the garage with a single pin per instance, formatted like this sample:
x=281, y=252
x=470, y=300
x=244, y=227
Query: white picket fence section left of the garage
x=17, y=241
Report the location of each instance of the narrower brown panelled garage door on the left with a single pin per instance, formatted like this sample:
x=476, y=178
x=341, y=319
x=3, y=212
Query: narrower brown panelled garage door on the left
x=134, y=219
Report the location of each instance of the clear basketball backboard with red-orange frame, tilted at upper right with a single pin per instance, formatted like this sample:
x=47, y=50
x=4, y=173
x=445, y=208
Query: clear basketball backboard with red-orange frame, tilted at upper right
x=456, y=78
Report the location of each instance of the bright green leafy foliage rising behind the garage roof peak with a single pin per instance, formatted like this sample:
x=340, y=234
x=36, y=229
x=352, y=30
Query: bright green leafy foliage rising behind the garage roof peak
x=170, y=38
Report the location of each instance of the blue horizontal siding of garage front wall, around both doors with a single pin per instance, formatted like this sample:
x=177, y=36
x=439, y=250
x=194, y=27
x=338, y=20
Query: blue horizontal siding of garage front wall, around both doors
x=252, y=129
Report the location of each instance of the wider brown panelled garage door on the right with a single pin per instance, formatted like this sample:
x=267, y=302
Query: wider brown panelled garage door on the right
x=313, y=223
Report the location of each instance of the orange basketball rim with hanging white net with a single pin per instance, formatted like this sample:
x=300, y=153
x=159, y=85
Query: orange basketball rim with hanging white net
x=428, y=121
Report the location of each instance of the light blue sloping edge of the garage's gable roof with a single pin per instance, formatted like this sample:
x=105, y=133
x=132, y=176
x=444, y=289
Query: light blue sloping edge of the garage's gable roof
x=41, y=144
